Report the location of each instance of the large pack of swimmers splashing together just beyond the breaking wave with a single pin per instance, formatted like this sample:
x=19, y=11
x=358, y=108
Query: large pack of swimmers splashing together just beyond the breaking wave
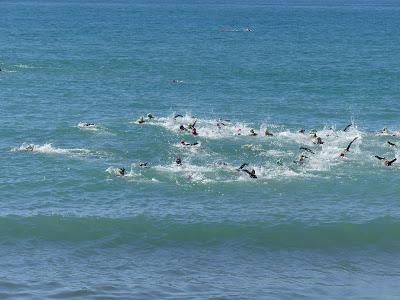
x=191, y=129
